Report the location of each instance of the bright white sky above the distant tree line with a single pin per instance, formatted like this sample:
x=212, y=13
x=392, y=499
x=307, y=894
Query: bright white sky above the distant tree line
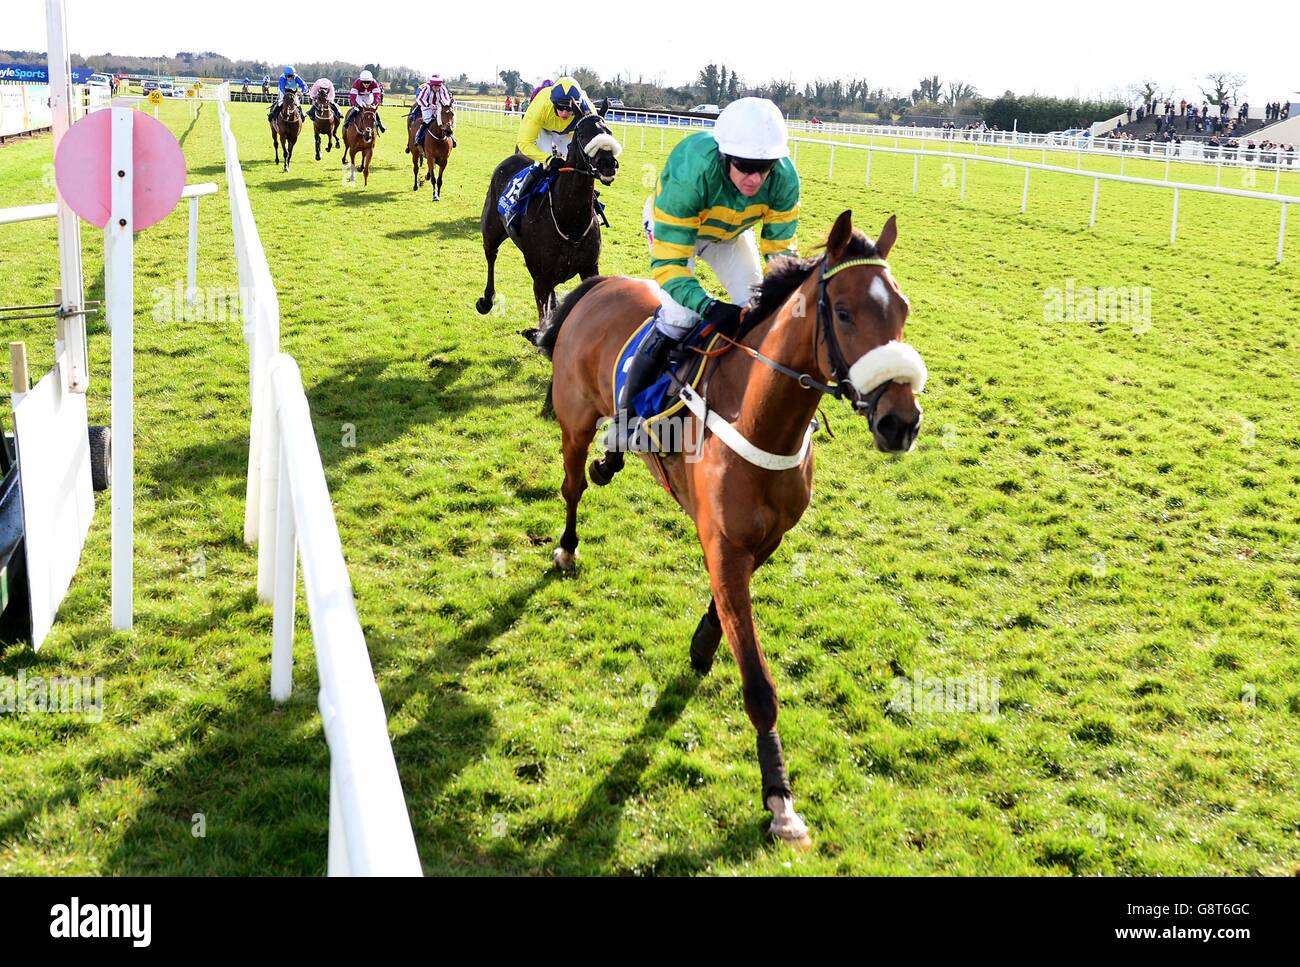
x=1099, y=49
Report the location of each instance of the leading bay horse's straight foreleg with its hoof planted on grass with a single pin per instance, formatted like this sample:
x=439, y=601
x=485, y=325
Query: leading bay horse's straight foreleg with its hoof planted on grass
x=730, y=571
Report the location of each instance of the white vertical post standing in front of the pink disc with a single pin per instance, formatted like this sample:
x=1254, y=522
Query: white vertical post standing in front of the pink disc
x=120, y=296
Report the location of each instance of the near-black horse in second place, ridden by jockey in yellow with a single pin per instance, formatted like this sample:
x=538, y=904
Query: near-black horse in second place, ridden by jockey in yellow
x=560, y=235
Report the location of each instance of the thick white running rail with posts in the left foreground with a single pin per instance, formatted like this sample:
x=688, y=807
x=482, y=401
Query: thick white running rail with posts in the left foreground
x=289, y=509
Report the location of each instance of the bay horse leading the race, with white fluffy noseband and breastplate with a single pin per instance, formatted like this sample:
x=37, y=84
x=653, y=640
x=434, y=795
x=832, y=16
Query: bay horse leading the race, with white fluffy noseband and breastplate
x=752, y=478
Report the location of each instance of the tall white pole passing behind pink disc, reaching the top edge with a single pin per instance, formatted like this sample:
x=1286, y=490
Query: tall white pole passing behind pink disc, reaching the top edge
x=71, y=277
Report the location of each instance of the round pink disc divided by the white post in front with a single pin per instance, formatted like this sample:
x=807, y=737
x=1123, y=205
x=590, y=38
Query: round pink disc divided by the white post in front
x=85, y=157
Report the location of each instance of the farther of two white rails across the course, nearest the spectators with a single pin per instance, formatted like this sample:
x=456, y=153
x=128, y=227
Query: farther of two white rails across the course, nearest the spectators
x=1188, y=153
